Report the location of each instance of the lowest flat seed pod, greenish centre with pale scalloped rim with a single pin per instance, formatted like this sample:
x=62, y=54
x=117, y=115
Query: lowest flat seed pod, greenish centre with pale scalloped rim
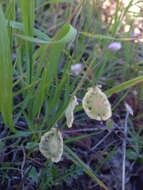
x=51, y=145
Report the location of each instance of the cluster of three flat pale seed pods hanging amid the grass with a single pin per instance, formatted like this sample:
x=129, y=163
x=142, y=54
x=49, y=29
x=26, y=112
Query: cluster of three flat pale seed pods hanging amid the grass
x=96, y=105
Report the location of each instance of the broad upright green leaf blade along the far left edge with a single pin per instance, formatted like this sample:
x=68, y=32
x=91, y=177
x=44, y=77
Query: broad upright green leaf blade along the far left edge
x=5, y=74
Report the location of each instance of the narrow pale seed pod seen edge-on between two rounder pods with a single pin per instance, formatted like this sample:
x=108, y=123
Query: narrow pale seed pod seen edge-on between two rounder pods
x=69, y=112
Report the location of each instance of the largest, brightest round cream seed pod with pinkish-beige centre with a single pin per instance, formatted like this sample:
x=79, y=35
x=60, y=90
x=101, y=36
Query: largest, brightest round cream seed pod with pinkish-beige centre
x=96, y=104
